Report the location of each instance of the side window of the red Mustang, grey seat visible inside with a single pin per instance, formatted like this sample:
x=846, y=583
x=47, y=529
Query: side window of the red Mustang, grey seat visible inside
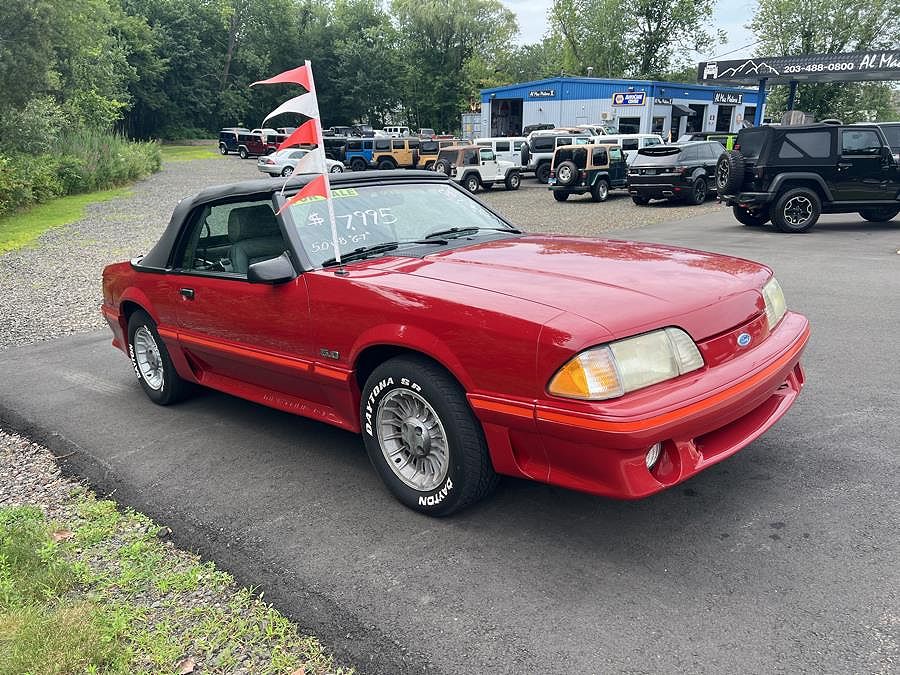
x=228, y=238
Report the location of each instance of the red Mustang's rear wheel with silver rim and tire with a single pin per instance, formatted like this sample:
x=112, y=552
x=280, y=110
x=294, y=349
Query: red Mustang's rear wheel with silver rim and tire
x=151, y=361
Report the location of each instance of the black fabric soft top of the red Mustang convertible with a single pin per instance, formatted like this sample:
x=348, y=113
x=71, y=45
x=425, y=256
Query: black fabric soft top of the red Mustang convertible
x=158, y=257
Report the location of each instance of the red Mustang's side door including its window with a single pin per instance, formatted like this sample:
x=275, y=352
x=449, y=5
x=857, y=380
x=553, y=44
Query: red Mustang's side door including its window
x=239, y=335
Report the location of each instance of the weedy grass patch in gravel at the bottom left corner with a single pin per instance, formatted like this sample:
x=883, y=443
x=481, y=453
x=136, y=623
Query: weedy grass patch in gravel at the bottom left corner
x=102, y=593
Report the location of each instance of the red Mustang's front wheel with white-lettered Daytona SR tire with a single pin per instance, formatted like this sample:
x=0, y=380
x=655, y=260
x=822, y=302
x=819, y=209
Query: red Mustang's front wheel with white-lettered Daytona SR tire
x=422, y=437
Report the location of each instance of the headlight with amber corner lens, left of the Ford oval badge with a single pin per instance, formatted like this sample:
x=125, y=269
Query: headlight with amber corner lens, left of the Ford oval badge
x=622, y=366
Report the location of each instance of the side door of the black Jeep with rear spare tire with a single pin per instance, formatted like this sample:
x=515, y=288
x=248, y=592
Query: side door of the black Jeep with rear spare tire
x=862, y=174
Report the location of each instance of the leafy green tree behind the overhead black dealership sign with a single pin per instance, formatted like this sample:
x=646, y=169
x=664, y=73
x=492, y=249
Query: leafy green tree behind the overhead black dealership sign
x=821, y=27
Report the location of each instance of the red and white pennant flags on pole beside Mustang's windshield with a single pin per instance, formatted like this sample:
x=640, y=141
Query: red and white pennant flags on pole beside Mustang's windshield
x=308, y=133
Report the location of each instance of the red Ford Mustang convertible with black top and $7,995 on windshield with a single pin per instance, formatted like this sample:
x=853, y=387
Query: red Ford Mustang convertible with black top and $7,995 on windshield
x=459, y=347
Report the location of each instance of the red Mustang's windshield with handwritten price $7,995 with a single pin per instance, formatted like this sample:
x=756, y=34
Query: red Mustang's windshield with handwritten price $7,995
x=368, y=216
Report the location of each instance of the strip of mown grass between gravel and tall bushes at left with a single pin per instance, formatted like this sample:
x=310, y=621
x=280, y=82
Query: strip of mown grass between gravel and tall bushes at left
x=20, y=229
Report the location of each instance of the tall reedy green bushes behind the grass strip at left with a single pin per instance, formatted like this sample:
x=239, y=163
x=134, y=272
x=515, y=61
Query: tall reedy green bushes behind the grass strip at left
x=83, y=161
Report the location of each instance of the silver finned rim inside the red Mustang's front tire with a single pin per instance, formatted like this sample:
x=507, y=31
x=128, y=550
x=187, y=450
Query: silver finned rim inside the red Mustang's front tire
x=412, y=440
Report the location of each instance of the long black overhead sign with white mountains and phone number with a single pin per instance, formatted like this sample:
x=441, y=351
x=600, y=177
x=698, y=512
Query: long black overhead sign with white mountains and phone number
x=846, y=67
